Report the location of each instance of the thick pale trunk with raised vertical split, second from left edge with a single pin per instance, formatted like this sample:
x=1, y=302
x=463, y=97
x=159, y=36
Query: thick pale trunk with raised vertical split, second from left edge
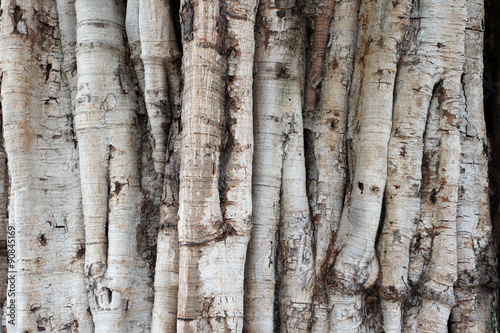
x=107, y=130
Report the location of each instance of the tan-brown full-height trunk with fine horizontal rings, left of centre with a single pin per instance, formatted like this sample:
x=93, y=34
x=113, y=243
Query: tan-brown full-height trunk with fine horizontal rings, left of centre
x=199, y=206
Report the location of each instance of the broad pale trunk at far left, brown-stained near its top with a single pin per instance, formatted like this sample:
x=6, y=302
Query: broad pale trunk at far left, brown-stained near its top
x=36, y=105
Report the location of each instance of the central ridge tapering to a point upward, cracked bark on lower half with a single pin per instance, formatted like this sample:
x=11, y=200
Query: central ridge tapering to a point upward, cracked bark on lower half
x=296, y=263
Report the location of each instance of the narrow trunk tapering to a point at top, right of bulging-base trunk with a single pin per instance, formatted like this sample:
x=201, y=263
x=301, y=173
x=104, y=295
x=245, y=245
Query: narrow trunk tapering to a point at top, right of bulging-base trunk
x=415, y=87
